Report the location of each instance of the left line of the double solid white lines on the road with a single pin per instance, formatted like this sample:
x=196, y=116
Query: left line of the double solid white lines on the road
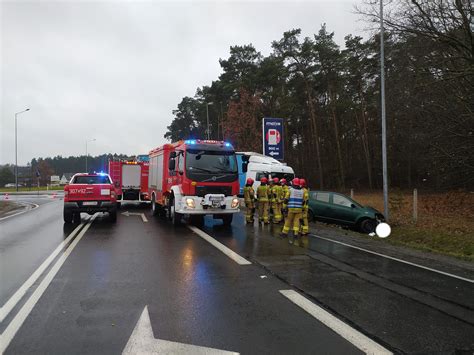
x=18, y=295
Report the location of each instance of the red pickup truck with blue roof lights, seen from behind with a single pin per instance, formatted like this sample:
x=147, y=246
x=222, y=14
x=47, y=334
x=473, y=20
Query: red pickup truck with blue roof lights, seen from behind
x=89, y=193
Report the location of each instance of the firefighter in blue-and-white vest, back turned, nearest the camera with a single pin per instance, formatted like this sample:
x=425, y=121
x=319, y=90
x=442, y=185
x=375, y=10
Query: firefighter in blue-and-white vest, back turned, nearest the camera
x=294, y=201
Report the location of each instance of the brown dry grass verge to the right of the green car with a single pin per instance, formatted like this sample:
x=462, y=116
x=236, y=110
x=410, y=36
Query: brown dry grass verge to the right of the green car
x=445, y=220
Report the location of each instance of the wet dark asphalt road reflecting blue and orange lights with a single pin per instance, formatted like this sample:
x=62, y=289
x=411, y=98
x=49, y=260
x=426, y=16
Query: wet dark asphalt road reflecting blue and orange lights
x=89, y=301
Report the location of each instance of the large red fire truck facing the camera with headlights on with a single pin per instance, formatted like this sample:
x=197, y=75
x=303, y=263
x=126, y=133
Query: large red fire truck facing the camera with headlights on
x=194, y=178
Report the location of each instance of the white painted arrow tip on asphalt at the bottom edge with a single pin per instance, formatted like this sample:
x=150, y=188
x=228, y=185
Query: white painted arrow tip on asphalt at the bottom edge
x=142, y=341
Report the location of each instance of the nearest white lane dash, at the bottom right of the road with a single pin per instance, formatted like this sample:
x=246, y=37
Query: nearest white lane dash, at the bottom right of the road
x=355, y=337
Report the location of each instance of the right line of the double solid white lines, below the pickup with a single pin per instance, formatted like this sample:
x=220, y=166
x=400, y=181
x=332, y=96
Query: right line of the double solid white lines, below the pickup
x=9, y=333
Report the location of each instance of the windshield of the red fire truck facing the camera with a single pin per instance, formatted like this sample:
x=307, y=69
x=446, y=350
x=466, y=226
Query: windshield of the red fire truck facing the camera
x=201, y=163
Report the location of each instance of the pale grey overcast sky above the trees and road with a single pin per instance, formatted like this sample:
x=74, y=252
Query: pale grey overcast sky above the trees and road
x=114, y=71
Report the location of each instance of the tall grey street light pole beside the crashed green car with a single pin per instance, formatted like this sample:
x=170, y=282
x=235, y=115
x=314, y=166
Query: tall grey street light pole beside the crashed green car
x=384, y=125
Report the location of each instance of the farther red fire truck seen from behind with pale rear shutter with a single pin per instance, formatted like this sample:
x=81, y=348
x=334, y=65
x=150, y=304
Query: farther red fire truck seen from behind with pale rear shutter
x=130, y=179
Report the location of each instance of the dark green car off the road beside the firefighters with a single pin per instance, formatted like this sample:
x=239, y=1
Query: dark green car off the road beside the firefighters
x=336, y=208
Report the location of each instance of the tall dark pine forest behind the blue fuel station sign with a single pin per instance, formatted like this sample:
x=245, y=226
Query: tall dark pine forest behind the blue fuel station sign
x=329, y=97
